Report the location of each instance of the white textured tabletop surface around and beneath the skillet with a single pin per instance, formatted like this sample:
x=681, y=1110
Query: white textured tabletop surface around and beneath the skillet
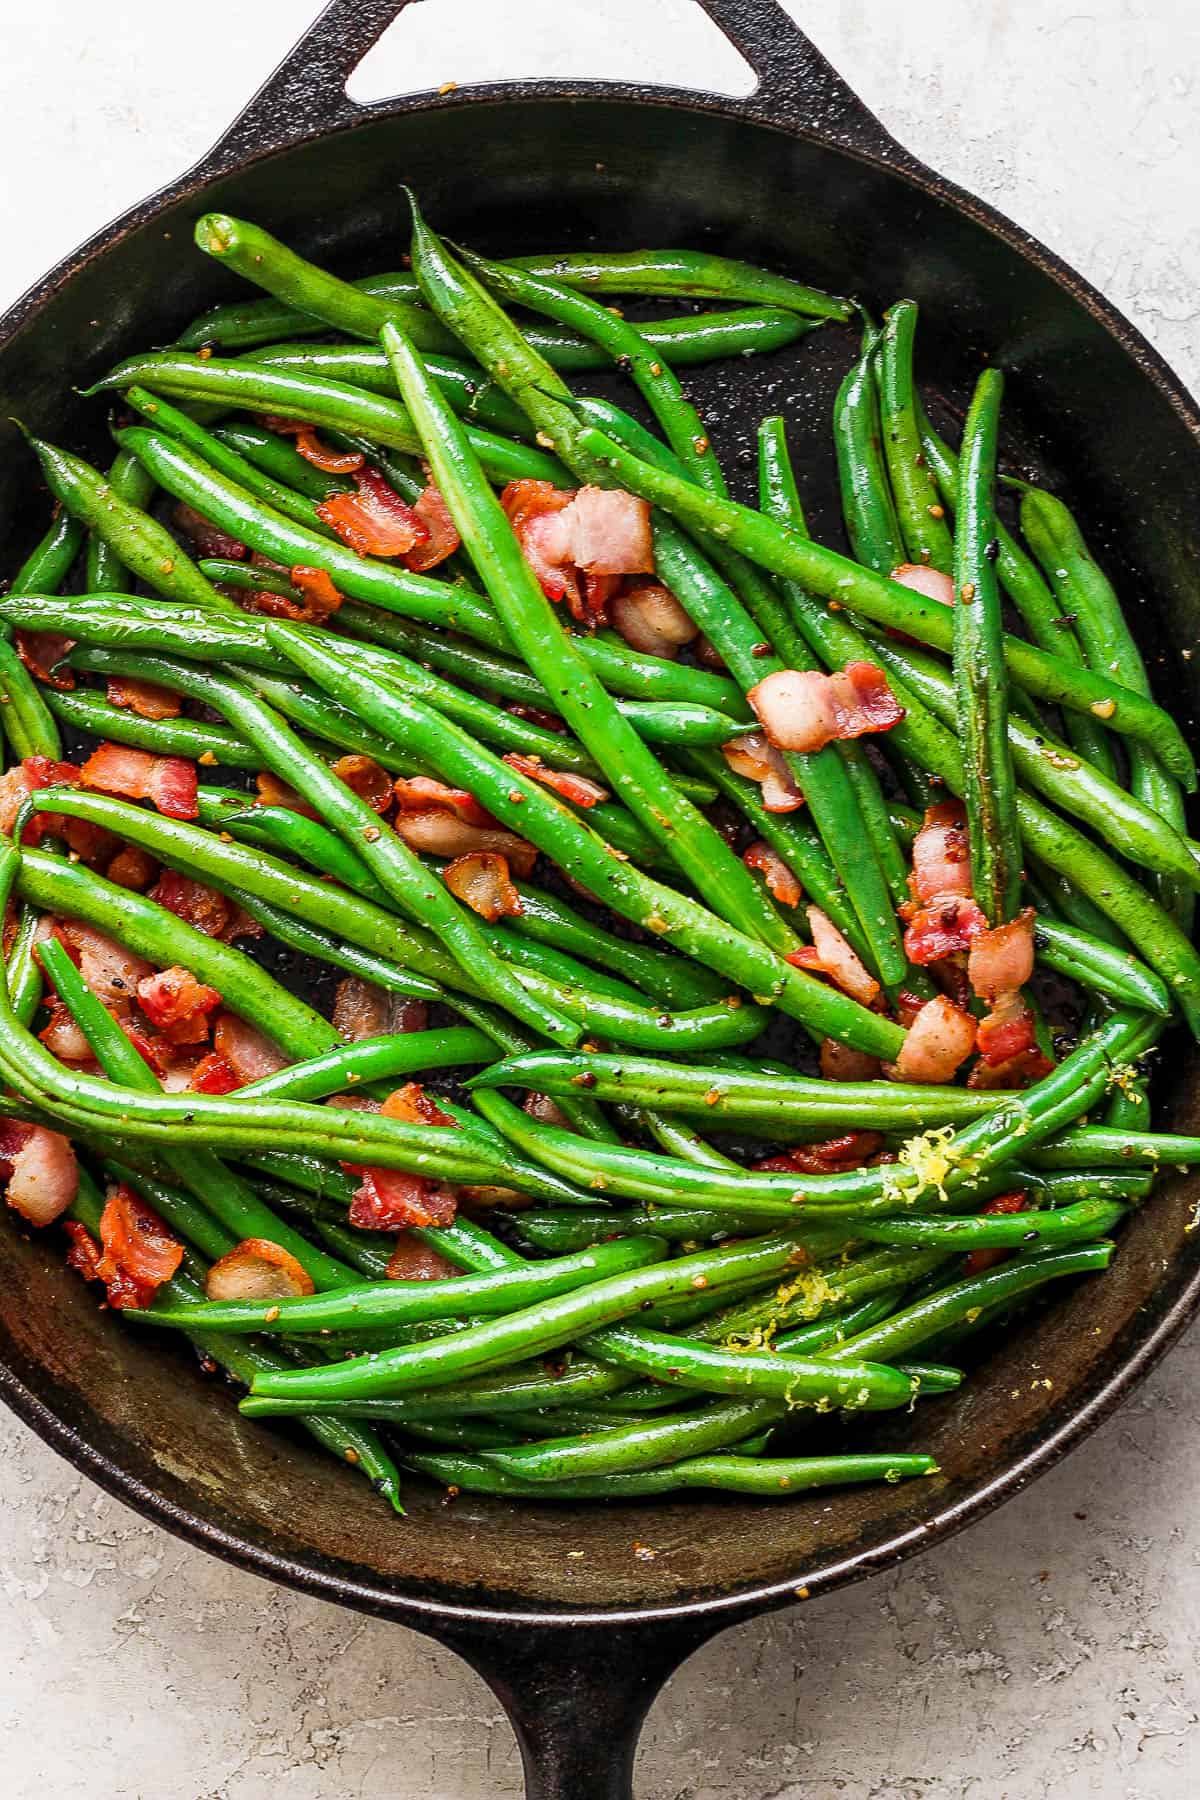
x=1053, y=1650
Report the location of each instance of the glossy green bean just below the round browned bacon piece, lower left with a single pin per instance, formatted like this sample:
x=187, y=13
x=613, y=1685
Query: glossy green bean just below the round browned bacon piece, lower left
x=391, y=1304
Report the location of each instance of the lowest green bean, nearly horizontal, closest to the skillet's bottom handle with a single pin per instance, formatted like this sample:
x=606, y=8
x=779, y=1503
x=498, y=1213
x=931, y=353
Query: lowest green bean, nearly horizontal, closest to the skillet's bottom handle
x=762, y=1477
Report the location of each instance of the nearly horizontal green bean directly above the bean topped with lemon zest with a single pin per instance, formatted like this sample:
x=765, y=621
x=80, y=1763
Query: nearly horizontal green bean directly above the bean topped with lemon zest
x=793, y=1104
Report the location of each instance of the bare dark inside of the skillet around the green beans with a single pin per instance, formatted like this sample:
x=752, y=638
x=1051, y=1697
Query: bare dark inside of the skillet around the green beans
x=1084, y=409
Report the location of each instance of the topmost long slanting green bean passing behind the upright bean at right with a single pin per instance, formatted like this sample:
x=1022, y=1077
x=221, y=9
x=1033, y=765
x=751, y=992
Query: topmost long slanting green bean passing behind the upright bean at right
x=832, y=577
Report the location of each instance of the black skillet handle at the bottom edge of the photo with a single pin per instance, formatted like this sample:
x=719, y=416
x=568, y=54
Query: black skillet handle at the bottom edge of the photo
x=578, y=1695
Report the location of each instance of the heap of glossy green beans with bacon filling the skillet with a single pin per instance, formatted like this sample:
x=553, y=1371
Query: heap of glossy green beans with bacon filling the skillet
x=578, y=1299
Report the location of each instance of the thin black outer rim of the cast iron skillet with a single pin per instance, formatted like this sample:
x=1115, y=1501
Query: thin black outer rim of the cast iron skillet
x=1093, y=1407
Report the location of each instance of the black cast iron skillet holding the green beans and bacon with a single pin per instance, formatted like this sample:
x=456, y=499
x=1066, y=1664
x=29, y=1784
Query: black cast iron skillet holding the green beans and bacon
x=562, y=1610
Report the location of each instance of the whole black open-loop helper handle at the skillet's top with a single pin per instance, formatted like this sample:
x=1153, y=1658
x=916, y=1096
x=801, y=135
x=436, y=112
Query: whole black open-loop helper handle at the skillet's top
x=307, y=96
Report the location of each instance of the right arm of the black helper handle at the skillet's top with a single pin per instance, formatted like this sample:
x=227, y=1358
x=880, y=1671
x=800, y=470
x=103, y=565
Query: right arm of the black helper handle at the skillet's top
x=798, y=87
